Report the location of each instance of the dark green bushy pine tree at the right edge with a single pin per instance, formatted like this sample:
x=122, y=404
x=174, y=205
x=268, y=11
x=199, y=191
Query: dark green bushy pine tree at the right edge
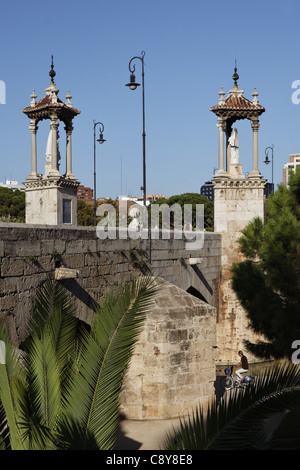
x=267, y=283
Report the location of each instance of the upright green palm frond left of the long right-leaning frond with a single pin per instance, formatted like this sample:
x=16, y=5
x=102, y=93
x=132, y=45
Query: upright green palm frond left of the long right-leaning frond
x=50, y=350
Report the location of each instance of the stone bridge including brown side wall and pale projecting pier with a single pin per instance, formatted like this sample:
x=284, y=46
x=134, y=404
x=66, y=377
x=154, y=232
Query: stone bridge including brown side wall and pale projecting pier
x=177, y=349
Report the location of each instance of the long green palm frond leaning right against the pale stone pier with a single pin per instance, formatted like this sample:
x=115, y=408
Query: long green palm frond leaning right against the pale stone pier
x=96, y=389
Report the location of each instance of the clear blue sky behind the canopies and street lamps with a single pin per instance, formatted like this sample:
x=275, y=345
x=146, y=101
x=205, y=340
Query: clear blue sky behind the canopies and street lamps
x=190, y=47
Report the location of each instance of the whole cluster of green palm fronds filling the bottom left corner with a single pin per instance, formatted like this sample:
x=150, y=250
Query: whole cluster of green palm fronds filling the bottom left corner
x=62, y=389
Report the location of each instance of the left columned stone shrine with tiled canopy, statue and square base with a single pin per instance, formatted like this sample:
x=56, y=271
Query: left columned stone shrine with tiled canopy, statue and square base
x=58, y=192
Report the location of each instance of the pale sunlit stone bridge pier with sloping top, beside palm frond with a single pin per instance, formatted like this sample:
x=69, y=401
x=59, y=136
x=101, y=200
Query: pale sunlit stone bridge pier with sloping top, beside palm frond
x=173, y=366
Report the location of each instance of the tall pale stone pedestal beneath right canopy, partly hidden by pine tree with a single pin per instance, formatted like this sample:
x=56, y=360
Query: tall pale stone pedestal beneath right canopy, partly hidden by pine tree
x=236, y=203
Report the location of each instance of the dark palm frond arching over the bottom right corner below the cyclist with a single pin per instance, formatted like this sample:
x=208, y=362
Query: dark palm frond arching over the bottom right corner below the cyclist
x=238, y=422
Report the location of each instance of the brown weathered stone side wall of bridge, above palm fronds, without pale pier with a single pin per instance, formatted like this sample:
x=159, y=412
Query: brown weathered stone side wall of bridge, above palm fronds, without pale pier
x=29, y=254
